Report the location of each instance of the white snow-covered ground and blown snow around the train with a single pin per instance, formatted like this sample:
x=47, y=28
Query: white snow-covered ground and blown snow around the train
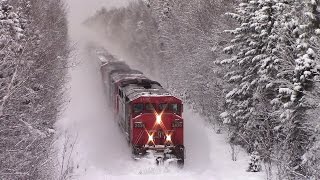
x=99, y=150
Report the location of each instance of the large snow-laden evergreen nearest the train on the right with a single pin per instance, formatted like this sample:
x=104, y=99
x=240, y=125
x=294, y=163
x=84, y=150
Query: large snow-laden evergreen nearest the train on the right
x=255, y=61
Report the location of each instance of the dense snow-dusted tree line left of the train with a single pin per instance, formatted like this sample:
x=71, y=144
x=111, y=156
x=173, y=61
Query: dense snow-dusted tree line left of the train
x=33, y=66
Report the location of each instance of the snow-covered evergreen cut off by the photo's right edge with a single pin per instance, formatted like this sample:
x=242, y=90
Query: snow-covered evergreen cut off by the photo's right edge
x=302, y=97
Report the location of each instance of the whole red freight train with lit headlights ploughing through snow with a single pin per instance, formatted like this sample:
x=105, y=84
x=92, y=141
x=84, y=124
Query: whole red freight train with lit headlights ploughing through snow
x=149, y=116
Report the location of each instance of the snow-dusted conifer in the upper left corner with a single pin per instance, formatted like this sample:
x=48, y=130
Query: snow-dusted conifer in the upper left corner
x=11, y=46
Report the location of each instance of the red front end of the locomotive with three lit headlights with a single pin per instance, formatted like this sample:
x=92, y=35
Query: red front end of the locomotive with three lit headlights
x=157, y=126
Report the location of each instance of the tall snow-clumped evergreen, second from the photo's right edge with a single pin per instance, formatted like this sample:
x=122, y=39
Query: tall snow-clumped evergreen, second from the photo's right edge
x=295, y=81
